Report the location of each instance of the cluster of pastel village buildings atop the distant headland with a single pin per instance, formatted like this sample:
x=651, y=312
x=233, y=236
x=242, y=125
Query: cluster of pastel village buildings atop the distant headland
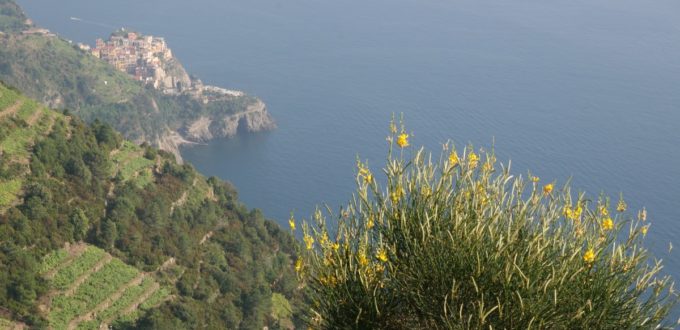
x=149, y=59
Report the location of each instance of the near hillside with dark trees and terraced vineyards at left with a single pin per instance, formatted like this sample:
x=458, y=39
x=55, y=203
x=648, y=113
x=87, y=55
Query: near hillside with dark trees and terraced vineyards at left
x=63, y=181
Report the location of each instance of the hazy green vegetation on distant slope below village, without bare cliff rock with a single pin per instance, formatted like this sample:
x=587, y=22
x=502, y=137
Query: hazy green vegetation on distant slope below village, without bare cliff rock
x=62, y=76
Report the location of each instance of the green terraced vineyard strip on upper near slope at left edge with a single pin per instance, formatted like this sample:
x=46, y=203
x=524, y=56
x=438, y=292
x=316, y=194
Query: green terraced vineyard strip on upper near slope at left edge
x=22, y=123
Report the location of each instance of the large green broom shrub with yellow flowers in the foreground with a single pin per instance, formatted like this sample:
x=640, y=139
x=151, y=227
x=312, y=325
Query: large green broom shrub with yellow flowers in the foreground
x=460, y=243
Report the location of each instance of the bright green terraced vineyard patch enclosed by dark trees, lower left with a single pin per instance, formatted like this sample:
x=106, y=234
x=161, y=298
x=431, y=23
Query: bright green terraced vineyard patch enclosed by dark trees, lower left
x=91, y=289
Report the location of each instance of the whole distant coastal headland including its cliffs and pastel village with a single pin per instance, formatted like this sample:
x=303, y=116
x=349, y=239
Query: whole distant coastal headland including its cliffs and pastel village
x=131, y=81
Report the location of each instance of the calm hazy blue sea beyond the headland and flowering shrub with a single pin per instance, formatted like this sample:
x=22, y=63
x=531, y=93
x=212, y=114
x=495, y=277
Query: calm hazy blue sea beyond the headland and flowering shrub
x=588, y=89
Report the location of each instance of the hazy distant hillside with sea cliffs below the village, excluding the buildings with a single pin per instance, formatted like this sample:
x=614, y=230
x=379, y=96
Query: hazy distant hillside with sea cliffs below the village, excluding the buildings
x=62, y=76
